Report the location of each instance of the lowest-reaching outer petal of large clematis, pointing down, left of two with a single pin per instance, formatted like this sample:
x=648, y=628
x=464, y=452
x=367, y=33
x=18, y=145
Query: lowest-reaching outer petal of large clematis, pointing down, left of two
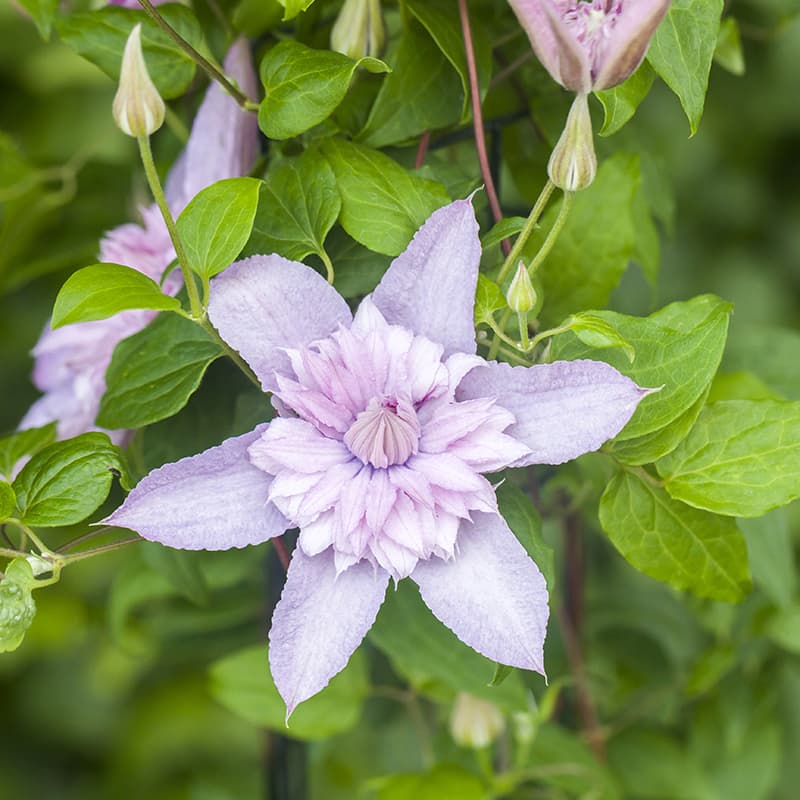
x=319, y=621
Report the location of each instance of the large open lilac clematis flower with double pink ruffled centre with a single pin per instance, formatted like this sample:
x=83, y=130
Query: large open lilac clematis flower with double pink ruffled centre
x=388, y=423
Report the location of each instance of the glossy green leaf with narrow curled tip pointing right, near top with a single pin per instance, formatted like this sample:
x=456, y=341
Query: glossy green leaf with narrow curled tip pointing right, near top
x=303, y=87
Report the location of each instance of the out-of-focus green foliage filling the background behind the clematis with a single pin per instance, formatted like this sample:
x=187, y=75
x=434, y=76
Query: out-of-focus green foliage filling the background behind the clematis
x=144, y=674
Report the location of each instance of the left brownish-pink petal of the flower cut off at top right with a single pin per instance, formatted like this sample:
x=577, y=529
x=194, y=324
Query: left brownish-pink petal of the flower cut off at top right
x=558, y=50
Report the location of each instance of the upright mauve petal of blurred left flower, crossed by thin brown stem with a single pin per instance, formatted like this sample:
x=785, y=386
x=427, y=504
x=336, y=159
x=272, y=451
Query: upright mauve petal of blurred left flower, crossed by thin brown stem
x=224, y=138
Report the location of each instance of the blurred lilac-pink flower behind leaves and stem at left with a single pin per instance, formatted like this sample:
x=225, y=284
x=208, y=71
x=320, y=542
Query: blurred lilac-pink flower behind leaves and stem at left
x=71, y=362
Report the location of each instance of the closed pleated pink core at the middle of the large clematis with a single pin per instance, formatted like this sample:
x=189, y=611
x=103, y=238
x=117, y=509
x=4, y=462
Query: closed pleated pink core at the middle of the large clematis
x=386, y=432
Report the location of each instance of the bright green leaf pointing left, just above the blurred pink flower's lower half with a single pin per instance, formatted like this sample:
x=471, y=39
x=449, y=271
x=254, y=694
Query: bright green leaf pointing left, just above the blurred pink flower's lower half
x=102, y=290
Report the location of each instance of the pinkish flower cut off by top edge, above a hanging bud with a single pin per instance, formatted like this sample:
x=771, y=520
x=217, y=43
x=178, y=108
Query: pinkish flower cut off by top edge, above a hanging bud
x=590, y=45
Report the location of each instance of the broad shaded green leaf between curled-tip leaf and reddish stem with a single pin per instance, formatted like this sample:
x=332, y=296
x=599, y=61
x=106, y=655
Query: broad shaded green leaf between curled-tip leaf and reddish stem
x=422, y=93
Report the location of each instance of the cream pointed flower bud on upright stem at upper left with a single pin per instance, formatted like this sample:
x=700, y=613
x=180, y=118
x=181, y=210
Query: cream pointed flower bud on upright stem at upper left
x=138, y=108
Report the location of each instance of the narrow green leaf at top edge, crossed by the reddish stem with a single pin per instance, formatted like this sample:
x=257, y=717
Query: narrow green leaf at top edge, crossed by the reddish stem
x=444, y=27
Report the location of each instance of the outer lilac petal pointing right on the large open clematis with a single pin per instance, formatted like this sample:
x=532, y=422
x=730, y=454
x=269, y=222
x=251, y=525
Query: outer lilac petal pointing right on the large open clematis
x=562, y=409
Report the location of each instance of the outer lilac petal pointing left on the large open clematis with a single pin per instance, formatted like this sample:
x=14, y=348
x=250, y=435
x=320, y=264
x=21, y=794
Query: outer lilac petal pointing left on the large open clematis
x=211, y=501
